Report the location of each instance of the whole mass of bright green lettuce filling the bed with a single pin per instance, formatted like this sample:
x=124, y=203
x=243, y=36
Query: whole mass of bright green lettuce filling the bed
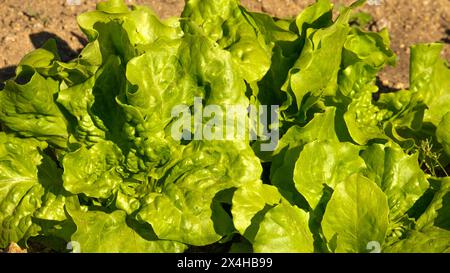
x=86, y=153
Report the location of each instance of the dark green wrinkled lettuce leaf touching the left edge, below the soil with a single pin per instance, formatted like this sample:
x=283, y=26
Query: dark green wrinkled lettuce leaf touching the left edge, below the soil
x=27, y=106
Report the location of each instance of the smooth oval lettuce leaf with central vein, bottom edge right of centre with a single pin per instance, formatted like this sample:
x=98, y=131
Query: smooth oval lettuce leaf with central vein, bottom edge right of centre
x=356, y=215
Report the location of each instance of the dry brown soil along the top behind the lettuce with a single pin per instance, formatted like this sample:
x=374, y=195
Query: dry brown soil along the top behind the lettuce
x=27, y=24
